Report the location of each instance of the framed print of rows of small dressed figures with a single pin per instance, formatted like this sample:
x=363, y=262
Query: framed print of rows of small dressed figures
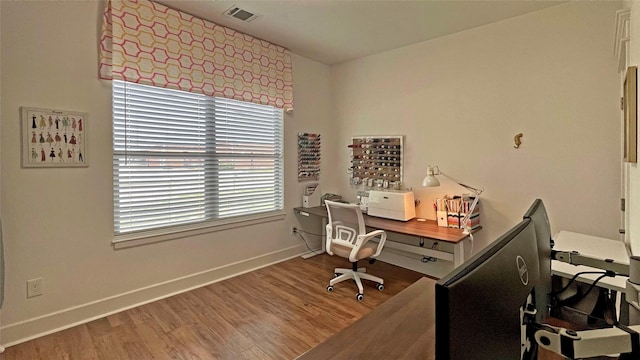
x=53, y=138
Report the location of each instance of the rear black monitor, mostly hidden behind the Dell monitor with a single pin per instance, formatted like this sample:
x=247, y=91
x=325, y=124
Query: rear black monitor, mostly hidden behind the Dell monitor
x=538, y=215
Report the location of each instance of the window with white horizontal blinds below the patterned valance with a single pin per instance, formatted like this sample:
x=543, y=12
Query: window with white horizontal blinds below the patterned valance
x=182, y=158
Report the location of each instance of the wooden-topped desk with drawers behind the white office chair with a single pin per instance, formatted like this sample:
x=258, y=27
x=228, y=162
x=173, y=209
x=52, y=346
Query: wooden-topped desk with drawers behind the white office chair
x=419, y=237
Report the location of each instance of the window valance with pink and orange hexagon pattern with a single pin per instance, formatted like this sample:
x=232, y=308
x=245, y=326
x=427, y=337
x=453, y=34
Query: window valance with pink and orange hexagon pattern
x=148, y=43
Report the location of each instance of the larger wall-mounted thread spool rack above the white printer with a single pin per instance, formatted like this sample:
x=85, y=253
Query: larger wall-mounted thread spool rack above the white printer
x=376, y=161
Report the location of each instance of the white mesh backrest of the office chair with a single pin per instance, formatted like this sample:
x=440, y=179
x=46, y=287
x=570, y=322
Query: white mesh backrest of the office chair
x=346, y=221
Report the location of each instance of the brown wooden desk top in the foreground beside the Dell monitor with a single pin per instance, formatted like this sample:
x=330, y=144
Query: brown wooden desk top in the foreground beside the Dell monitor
x=403, y=327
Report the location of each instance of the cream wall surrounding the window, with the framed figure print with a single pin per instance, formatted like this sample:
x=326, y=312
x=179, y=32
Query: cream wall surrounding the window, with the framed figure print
x=58, y=222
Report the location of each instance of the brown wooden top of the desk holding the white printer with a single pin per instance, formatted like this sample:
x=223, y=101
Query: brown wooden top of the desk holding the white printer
x=426, y=229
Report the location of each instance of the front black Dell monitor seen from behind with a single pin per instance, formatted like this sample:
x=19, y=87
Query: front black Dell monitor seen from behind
x=478, y=304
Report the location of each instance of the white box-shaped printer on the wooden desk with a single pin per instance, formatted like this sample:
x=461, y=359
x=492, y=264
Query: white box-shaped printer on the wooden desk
x=396, y=205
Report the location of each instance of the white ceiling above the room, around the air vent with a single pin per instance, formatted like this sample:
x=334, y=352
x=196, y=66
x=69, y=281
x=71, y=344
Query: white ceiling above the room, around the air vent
x=335, y=31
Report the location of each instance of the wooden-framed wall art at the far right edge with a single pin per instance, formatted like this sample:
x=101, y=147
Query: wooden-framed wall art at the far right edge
x=630, y=109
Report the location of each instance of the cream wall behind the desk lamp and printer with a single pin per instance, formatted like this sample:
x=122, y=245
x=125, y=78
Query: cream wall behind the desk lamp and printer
x=460, y=99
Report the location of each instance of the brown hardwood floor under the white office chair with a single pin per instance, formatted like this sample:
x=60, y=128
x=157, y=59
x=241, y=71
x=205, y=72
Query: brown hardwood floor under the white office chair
x=277, y=312
